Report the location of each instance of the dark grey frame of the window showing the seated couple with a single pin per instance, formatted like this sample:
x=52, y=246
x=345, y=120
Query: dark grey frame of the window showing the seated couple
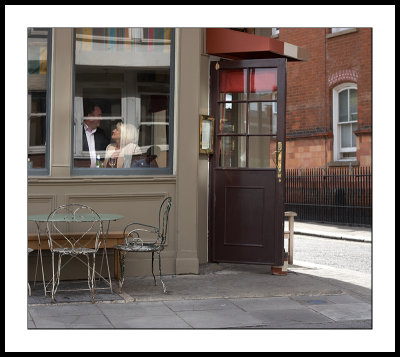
x=142, y=171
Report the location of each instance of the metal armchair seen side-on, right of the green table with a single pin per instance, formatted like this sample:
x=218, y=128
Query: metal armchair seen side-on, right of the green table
x=145, y=238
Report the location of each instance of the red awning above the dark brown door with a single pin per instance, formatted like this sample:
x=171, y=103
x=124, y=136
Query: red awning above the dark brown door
x=238, y=45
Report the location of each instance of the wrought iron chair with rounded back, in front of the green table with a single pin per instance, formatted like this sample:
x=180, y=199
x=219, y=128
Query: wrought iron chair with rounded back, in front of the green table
x=86, y=242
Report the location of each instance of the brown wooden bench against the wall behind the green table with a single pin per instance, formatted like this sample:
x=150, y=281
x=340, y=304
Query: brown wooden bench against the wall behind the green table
x=113, y=239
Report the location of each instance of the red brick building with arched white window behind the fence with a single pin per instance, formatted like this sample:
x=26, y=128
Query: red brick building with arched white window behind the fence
x=329, y=98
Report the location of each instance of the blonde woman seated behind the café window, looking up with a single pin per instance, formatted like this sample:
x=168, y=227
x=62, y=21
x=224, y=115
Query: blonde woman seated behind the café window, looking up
x=125, y=137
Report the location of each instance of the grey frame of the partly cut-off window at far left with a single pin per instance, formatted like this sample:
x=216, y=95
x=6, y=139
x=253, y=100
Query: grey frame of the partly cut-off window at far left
x=42, y=171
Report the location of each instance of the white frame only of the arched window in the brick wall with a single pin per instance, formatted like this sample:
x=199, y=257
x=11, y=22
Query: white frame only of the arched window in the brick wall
x=337, y=149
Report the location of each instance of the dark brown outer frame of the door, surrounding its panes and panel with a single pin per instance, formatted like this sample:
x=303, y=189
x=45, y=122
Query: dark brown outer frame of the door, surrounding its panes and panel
x=280, y=64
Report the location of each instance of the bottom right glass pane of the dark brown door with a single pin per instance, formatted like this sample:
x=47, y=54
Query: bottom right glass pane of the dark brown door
x=260, y=151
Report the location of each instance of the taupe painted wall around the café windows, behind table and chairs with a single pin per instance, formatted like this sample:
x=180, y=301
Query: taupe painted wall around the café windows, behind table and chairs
x=137, y=198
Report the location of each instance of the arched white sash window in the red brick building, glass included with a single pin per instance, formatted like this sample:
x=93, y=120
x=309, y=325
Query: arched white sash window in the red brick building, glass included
x=345, y=121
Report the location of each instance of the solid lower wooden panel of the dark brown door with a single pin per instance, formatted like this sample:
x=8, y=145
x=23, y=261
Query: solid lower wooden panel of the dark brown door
x=244, y=206
